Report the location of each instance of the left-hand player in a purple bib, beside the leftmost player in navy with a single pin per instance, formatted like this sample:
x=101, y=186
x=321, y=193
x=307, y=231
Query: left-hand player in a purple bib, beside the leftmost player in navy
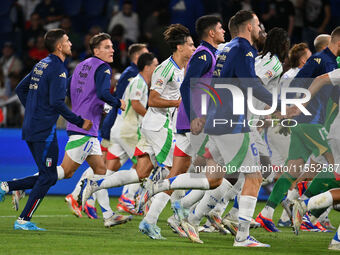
x=89, y=90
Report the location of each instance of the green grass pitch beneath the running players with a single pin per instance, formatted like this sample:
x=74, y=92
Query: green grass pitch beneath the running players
x=67, y=234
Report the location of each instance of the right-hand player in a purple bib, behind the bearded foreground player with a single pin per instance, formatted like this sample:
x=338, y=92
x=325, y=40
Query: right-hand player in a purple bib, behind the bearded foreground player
x=201, y=65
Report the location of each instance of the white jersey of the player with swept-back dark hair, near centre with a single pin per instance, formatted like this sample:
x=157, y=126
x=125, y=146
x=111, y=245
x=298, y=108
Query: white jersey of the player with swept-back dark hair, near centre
x=166, y=80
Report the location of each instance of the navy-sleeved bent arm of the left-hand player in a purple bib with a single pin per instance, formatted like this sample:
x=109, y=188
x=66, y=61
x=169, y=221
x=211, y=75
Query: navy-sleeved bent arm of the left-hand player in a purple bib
x=102, y=79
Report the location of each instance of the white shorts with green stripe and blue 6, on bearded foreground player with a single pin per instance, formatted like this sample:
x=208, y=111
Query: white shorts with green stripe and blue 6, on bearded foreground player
x=235, y=152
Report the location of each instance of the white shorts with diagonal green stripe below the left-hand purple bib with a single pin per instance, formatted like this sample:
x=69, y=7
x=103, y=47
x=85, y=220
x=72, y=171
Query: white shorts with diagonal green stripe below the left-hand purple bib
x=79, y=147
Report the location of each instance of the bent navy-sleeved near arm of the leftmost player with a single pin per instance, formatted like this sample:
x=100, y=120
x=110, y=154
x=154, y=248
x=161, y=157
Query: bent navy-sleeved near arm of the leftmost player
x=57, y=93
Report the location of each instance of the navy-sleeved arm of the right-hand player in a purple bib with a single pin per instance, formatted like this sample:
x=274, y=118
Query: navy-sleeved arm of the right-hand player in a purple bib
x=199, y=65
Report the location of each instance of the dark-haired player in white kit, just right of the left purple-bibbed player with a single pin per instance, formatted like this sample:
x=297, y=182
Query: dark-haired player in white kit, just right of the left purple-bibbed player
x=126, y=130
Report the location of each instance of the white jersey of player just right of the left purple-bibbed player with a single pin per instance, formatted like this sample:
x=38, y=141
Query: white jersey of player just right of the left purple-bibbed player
x=127, y=123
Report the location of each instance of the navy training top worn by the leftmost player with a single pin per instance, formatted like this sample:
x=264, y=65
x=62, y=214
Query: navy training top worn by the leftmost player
x=42, y=93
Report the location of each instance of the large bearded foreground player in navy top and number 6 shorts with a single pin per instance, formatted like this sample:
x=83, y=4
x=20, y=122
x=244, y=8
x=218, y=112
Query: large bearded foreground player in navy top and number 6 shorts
x=237, y=60
